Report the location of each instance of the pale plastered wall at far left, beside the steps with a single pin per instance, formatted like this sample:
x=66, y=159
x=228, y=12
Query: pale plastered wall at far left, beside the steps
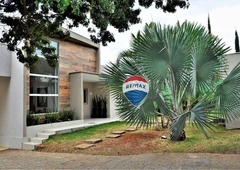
x=12, y=117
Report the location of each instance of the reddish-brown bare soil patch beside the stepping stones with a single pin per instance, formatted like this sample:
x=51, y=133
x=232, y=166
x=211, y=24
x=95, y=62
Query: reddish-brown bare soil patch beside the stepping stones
x=130, y=143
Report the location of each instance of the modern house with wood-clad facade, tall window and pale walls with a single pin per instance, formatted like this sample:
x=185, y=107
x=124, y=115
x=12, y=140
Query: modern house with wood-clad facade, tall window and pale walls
x=72, y=85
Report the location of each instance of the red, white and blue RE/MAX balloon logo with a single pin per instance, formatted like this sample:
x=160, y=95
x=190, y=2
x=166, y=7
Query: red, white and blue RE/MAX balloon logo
x=135, y=89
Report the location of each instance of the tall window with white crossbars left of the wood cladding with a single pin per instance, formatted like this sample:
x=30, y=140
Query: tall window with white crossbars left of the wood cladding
x=44, y=86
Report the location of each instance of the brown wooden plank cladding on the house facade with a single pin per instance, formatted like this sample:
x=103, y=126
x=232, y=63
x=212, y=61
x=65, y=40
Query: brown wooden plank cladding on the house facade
x=73, y=58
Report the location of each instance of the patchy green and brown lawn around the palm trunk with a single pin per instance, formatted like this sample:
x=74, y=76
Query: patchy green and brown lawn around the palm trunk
x=144, y=141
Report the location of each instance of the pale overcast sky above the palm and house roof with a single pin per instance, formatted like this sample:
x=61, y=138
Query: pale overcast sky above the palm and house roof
x=224, y=19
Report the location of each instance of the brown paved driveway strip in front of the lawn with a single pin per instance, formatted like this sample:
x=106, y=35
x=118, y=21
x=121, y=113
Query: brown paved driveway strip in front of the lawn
x=19, y=159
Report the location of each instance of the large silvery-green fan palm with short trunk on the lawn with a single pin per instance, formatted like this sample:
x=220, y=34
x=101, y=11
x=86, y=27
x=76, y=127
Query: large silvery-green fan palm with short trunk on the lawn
x=183, y=64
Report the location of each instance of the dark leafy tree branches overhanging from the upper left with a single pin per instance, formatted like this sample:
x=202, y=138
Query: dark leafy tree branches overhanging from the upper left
x=34, y=21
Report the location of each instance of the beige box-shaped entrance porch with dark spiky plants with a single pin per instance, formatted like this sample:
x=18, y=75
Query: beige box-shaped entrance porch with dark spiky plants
x=85, y=92
